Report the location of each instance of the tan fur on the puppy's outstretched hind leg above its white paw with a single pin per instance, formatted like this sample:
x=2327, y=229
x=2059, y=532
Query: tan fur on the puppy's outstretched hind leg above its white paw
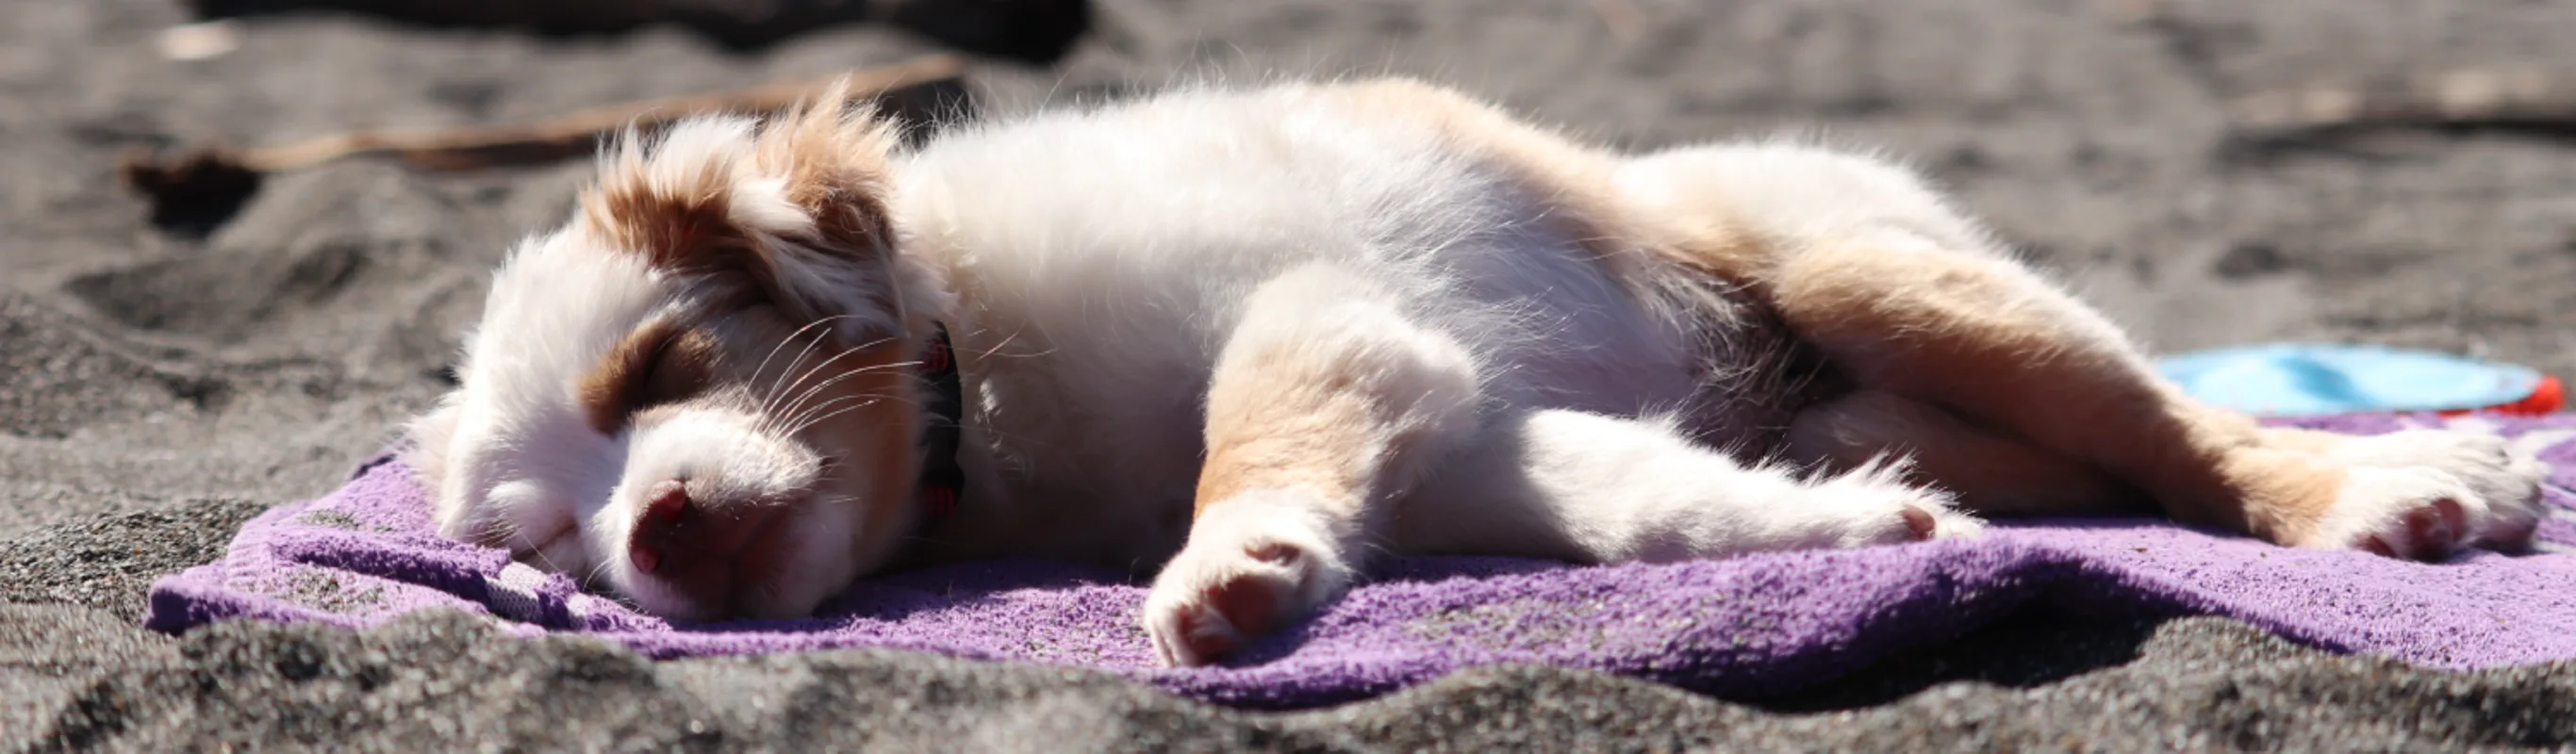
x=1959, y=333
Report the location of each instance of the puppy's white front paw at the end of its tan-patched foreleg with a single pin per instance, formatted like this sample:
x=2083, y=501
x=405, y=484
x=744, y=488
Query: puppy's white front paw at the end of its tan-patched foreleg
x=1253, y=565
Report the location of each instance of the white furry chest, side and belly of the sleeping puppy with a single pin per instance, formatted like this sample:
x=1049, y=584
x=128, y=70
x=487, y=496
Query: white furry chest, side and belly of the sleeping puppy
x=1099, y=264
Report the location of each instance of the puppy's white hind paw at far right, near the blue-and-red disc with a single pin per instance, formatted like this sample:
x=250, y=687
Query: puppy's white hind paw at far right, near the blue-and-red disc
x=2428, y=493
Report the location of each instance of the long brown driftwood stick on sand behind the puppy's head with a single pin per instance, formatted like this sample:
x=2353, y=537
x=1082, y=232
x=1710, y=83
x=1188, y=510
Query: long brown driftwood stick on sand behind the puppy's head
x=218, y=171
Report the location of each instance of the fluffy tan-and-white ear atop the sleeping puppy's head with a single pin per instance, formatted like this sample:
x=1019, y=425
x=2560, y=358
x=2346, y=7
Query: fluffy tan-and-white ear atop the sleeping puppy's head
x=792, y=212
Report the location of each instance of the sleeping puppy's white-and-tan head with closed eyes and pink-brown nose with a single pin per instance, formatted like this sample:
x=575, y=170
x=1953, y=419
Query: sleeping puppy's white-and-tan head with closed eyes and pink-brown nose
x=699, y=390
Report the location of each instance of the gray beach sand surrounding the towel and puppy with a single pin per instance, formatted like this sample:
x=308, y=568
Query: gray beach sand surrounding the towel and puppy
x=166, y=377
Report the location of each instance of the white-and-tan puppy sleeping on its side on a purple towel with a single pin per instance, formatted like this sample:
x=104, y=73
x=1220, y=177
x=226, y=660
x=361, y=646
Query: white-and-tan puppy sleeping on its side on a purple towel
x=1251, y=338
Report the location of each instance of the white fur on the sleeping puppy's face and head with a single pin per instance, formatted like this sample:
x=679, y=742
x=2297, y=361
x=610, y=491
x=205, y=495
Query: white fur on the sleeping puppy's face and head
x=522, y=470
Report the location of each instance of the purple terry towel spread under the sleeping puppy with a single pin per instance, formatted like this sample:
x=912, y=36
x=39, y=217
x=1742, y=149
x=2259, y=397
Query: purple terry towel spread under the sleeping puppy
x=1740, y=627
